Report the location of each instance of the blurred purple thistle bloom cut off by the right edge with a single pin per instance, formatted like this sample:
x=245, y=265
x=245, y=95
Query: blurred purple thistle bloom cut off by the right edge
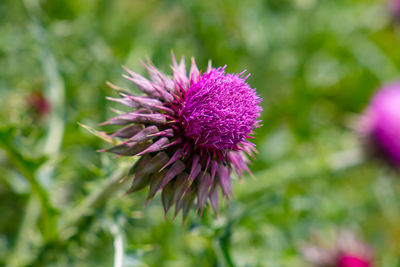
x=381, y=124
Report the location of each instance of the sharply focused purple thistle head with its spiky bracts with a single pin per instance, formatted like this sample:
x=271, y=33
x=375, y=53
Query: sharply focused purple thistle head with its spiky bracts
x=190, y=130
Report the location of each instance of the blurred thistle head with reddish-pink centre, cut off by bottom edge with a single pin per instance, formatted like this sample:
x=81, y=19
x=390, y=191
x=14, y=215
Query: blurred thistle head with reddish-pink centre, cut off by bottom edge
x=344, y=251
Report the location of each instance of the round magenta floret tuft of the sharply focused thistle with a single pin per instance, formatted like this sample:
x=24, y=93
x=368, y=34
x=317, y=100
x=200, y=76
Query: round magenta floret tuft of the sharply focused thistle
x=220, y=110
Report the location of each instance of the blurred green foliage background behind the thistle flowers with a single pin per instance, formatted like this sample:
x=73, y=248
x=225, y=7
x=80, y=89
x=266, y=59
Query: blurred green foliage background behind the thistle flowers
x=315, y=63
